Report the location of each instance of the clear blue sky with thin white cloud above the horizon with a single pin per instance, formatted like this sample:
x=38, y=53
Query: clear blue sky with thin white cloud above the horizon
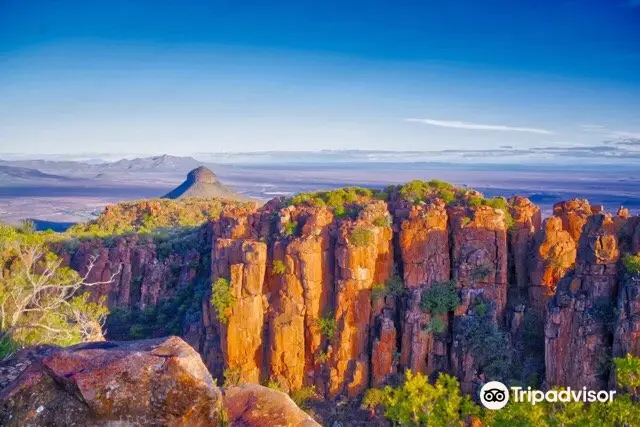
x=187, y=76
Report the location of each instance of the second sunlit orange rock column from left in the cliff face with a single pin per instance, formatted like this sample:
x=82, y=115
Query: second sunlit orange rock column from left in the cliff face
x=299, y=297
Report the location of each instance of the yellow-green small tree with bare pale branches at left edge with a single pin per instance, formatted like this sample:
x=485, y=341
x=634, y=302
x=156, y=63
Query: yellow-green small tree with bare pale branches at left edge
x=40, y=300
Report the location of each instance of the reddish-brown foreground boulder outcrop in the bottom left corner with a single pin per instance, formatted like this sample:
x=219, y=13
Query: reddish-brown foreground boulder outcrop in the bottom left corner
x=160, y=382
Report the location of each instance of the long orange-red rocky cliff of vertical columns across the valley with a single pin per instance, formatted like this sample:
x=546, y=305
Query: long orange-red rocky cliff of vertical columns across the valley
x=344, y=290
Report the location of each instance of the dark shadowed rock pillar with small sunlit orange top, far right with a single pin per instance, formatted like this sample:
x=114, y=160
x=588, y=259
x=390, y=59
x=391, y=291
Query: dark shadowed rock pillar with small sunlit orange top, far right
x=578, y=329
